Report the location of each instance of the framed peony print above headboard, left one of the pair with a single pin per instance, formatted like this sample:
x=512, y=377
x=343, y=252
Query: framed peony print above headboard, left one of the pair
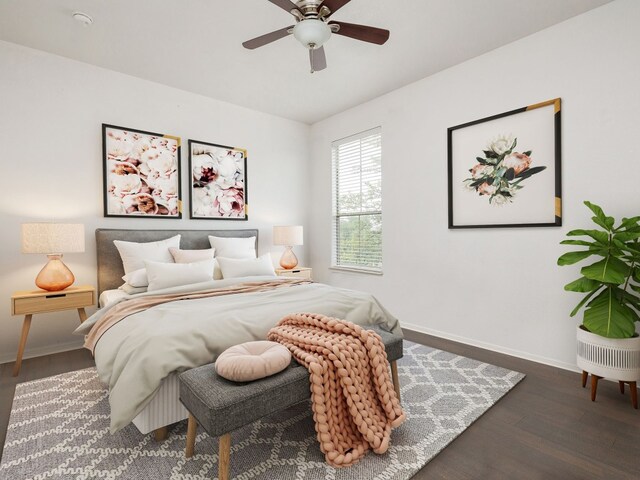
x=141, y=173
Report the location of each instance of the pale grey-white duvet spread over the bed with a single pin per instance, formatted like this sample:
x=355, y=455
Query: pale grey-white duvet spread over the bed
x=136, y=354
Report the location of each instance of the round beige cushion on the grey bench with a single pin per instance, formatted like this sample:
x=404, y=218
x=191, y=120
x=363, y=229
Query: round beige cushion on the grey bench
x=252, y=360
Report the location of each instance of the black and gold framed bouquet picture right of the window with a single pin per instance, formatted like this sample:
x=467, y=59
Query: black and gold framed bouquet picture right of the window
x=504, y=170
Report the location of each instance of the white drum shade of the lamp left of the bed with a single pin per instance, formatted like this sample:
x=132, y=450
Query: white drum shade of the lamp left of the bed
x=52, y=238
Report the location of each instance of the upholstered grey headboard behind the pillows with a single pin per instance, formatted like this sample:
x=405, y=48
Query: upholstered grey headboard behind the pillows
x=110, y=270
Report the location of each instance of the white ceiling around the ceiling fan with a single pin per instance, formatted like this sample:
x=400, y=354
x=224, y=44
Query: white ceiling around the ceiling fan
x=195, y=45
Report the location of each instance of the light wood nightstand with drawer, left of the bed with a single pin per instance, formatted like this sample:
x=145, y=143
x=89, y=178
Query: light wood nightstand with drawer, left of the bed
x=30, y=302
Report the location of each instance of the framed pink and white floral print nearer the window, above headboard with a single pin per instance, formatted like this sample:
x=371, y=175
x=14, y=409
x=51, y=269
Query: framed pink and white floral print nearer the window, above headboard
x=218, y=176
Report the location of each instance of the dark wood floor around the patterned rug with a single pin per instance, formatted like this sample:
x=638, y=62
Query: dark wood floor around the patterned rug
x=545, y=428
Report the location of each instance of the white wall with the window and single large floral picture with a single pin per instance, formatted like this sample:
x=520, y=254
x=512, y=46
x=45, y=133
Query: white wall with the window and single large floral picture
x=498, y=288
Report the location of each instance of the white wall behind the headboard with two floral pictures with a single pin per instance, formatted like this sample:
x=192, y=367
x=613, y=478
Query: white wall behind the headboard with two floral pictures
x=51, y=111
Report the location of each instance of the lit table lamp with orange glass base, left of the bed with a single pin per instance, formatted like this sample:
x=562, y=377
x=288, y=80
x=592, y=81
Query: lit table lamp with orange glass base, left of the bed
x=53, y=239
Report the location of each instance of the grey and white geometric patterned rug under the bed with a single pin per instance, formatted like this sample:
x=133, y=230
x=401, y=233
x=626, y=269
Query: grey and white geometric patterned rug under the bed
x=59, y=429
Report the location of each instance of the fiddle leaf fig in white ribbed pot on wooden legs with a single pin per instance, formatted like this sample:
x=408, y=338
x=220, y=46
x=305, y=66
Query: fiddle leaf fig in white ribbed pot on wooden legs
x=608, y=345
